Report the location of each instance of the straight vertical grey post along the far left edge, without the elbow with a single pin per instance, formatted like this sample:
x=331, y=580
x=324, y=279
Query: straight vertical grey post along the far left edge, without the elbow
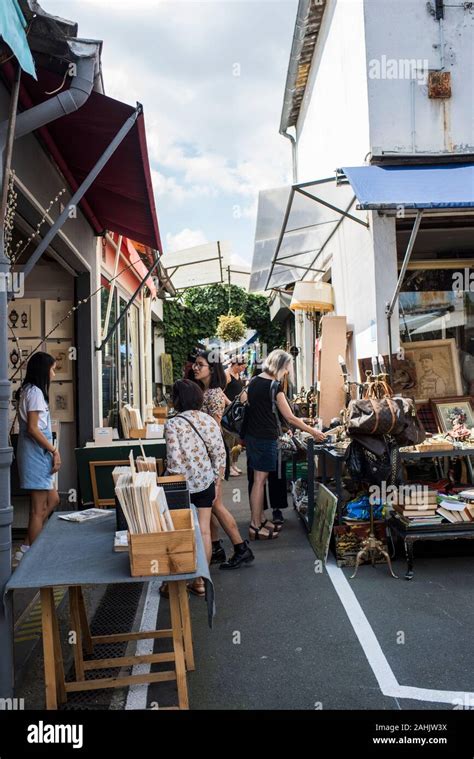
x=6, y=510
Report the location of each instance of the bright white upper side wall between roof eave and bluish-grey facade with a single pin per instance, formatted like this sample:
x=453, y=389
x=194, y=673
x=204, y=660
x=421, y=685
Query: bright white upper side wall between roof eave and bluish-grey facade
x=333, y=126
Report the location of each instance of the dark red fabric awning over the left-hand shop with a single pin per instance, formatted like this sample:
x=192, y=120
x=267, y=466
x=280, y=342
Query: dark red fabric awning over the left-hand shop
x=121, y=197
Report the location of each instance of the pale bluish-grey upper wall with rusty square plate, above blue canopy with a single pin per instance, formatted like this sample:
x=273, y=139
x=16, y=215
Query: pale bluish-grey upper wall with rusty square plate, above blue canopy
x=403, y=31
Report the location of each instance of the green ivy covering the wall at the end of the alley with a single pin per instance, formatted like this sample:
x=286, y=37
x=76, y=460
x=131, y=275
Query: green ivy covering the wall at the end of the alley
x=195, y=317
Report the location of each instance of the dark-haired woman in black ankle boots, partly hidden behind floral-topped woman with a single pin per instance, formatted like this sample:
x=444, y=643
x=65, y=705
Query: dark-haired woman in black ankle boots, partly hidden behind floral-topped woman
x=210, y=375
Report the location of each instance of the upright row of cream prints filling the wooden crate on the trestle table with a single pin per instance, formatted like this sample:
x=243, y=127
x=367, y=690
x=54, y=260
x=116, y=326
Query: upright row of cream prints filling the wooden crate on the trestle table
x=143, y=502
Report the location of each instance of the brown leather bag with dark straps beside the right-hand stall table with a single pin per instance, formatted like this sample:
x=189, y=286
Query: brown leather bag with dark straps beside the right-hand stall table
x=386, y=416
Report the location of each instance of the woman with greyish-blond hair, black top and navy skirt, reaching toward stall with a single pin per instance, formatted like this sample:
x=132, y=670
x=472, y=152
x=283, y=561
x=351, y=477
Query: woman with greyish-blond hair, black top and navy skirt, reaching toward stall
x=261, y=434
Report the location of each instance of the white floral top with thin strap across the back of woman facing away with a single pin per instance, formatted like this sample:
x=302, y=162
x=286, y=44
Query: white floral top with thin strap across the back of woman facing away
x=187, y=454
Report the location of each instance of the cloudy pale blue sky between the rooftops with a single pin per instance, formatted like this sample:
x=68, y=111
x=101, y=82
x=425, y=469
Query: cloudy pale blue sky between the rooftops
x=211, y=77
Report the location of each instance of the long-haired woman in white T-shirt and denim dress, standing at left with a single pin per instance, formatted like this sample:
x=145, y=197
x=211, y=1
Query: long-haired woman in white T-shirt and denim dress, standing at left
x=37, y=458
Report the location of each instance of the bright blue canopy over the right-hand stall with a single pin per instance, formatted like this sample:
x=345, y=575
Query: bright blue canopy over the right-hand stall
x=448, y=185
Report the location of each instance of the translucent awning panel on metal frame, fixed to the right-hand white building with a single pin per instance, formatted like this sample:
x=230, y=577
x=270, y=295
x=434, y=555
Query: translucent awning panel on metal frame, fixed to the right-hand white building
x=294, y=224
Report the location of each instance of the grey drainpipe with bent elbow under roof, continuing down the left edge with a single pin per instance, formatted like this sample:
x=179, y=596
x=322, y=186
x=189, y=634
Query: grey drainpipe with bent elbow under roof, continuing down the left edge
x=16, y=126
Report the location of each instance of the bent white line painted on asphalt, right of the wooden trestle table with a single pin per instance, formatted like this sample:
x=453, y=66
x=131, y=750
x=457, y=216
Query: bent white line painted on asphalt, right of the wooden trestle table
x=375, y=656
